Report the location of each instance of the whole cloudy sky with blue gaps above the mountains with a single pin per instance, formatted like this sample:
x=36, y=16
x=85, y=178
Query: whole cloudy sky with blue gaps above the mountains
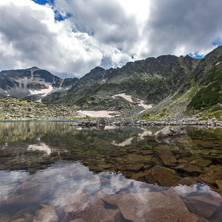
x=71, y=37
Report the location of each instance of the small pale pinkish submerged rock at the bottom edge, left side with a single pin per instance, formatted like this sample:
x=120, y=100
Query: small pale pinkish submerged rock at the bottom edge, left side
x=46, y=214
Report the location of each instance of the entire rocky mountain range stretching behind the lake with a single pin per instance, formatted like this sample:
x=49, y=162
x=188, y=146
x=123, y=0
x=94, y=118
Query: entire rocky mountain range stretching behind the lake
x=166, y=87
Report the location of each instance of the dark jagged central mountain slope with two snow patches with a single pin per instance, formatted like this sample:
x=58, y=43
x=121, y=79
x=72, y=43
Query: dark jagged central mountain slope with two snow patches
x=147, y=81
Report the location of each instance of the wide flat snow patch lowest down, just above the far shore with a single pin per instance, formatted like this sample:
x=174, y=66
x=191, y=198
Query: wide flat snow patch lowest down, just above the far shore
x=98, y=114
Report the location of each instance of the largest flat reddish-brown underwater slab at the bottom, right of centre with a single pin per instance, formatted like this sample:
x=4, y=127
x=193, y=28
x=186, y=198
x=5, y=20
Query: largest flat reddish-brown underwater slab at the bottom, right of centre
x=153, y=206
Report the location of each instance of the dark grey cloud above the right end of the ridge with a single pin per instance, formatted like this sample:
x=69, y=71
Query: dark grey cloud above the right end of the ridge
x=183, y=27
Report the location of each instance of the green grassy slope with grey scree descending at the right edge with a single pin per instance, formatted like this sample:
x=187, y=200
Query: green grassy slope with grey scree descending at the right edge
x=201, y=97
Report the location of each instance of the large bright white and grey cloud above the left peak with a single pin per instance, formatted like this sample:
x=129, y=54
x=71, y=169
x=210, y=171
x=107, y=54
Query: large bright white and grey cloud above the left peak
x=30, y=36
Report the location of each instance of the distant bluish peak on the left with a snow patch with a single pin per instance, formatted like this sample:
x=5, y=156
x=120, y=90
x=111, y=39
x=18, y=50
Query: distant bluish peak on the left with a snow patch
x=32, y=83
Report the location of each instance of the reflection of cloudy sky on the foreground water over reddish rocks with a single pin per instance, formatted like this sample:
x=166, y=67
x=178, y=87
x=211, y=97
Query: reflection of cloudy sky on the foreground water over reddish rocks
x=67, y=191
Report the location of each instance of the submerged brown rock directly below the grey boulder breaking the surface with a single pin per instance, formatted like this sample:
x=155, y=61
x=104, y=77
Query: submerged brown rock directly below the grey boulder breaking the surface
x=164, y=153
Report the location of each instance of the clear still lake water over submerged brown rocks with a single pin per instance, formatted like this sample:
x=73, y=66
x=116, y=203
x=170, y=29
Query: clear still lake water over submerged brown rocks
x=52, y=171
